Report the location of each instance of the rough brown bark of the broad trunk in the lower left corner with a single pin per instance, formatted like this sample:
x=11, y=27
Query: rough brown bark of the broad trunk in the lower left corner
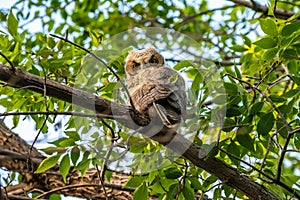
x=14, y=157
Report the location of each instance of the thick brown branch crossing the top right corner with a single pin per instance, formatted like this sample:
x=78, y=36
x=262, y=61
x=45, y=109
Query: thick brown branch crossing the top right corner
x=279, y=13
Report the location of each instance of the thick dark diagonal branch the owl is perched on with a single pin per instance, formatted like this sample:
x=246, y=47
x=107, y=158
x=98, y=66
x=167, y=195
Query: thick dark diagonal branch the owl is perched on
x=224, y=172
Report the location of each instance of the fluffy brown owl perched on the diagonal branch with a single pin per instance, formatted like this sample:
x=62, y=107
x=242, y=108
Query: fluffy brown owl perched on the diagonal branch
x=154, y=87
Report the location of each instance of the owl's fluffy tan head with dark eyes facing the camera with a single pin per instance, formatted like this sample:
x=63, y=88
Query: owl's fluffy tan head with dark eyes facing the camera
x=142, y=59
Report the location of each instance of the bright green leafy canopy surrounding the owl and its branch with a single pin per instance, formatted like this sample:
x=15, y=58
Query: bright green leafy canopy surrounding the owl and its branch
x=254, y=48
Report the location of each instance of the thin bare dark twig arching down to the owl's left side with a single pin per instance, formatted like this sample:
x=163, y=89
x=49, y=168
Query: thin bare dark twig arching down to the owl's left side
x=100, y=60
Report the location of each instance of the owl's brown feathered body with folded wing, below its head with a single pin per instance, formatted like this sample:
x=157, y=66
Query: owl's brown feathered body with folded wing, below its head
x=162, y=88
